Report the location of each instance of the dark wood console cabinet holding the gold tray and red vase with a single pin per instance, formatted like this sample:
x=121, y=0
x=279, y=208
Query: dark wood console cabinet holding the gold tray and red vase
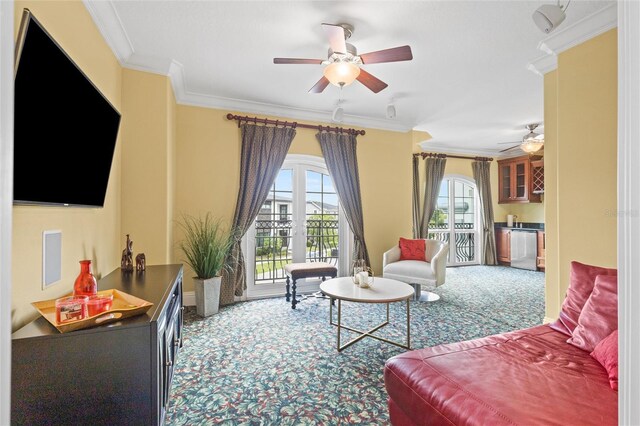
x=118, y=373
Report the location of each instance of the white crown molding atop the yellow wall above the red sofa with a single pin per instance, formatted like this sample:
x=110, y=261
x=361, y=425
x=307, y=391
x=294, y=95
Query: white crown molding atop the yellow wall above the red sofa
x=593, y=25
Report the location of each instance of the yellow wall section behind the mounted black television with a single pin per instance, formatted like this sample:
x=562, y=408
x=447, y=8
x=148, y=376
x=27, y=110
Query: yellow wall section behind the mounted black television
x=86, y=233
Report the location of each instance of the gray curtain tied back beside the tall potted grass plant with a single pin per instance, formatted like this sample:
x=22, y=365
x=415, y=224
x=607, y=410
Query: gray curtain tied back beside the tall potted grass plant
x=263, y=152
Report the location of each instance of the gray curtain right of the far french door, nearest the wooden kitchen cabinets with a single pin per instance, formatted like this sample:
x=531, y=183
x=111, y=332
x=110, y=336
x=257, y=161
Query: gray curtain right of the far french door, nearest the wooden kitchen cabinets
x=481, y=176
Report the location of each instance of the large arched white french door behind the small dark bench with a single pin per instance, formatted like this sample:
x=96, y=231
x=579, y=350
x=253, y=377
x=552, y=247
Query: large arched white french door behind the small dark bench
x=300, y=221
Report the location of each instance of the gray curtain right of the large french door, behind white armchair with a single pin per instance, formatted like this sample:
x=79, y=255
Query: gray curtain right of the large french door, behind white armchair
x=339, y=151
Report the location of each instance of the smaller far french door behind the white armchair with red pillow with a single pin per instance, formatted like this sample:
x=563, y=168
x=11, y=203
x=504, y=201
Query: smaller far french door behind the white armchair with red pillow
x=456, y=220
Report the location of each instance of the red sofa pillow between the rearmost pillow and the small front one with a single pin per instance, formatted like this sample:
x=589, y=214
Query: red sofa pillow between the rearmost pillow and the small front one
x=599, y=317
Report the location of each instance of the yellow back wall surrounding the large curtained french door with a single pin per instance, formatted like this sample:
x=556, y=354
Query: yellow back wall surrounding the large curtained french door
x=208, y=162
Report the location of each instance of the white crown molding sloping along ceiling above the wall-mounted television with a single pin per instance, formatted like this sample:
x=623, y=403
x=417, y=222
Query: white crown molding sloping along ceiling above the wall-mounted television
x=108, y=21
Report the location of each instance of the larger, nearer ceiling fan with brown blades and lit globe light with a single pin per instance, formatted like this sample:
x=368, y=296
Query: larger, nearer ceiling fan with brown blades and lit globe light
x=343, y=64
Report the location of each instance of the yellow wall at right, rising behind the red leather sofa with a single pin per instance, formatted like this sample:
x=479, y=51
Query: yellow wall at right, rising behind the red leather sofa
x=585, y=158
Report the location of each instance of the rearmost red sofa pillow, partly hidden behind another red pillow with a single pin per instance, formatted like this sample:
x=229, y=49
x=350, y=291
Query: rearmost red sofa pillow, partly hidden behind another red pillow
x=581, y=281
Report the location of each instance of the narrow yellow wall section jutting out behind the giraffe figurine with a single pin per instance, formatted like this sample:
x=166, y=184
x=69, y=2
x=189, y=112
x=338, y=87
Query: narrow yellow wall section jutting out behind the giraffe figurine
x=148, y=131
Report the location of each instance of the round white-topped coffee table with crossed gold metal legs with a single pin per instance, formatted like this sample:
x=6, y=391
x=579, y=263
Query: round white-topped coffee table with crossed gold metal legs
x=383, y=290
